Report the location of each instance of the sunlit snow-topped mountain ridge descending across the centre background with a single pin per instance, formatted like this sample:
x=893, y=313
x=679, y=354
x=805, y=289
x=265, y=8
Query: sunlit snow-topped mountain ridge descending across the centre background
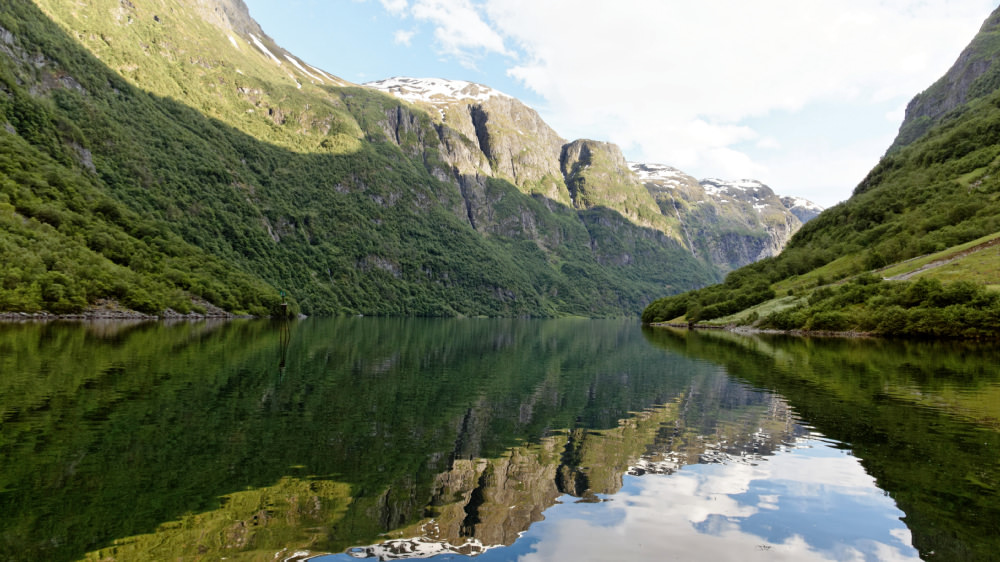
x=595, y=173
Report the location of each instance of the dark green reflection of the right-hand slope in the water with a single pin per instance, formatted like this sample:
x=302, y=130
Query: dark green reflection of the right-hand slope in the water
x=921, y=416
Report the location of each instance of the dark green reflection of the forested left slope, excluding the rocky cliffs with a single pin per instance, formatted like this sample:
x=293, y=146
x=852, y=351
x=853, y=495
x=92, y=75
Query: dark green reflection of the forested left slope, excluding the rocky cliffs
x=142, y=432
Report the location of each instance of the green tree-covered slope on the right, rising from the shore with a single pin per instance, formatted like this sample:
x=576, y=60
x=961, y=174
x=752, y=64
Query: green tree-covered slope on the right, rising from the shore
x=935, y=193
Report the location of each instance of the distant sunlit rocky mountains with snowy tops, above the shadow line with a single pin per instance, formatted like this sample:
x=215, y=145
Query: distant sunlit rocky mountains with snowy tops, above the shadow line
x=588, y=174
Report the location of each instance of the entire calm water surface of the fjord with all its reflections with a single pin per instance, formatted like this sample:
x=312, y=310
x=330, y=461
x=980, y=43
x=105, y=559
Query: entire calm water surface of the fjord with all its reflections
x=500, y=439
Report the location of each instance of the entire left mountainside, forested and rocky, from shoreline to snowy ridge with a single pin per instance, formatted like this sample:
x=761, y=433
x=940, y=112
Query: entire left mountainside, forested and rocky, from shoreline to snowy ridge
x=169, y=156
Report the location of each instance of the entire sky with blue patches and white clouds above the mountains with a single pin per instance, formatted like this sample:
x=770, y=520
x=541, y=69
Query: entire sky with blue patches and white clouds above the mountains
x=804, y=96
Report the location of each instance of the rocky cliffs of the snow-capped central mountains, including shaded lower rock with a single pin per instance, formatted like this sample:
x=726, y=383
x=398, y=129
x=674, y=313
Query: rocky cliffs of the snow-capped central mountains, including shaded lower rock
x=486, y=134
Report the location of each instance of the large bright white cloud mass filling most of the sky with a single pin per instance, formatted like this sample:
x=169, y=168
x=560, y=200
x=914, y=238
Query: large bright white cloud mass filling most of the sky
x=675, y=82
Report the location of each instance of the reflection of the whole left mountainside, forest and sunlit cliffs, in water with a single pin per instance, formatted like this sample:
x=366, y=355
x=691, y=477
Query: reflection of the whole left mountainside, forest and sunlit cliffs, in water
x=377, y=426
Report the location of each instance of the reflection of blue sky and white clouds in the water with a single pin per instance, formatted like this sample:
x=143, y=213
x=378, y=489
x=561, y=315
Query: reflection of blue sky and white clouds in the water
x=811, y=501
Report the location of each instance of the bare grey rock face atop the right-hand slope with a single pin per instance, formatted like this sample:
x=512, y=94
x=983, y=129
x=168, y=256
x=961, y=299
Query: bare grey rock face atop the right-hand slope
x=975, y=74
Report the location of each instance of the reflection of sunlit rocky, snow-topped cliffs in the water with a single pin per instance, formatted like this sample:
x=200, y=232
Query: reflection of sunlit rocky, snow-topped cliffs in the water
x=484, y=503
